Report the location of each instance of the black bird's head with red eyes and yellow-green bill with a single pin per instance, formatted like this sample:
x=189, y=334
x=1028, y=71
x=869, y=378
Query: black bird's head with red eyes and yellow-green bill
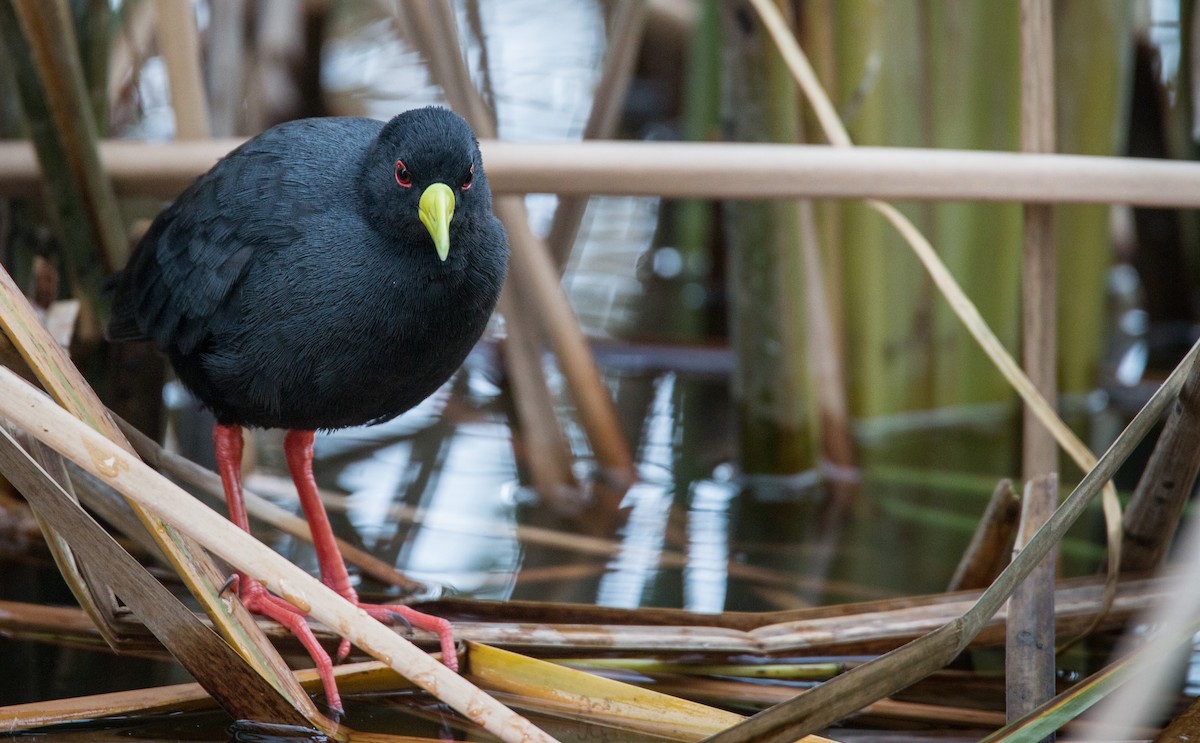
x=424, y=171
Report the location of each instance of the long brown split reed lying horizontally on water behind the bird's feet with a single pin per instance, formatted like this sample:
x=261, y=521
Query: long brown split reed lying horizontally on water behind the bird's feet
x=553, y=630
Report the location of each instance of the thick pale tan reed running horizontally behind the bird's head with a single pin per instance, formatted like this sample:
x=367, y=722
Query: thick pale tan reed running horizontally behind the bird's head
x=727, y=171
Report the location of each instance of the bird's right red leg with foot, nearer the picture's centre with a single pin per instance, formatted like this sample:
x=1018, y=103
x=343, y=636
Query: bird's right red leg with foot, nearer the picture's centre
x=298, y=447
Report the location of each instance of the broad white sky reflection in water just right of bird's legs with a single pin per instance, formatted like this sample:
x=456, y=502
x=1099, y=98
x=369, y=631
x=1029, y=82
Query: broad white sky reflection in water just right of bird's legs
x=435, y=501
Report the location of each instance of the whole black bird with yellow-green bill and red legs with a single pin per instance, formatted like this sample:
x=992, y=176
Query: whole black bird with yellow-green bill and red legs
x=328, y=273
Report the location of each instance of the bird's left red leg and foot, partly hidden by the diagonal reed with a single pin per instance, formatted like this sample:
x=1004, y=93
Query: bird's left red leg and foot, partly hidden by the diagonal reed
x=229, y=445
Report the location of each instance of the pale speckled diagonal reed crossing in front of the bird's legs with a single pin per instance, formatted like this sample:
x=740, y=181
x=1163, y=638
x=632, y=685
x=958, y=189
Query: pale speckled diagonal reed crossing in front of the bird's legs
x=33, y=412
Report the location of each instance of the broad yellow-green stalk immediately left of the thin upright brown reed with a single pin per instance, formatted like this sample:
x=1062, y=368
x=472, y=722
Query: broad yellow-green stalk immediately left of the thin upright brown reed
x=975, y=79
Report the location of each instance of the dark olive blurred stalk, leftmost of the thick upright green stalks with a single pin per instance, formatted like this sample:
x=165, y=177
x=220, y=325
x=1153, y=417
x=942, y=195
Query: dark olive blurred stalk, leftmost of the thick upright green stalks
x=766, y=272
